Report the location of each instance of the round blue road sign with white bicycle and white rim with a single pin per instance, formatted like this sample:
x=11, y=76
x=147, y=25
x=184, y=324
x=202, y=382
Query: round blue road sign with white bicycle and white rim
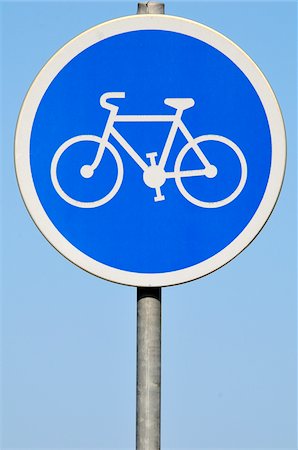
x=150, y=150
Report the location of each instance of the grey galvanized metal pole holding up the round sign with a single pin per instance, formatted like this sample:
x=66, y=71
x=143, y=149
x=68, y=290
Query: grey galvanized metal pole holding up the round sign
x=148, y=342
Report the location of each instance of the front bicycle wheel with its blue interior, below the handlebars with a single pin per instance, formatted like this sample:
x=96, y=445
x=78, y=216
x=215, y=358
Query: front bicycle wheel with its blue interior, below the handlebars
x=70, y=177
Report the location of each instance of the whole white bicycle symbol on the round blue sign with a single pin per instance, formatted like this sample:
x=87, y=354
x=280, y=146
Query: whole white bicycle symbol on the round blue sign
x=154, y=174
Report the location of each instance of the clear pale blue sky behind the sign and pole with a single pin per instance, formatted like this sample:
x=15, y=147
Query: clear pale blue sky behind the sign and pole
x=69, y=339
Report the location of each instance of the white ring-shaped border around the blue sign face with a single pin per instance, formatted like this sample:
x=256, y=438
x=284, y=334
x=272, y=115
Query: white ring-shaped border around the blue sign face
x=65, y=55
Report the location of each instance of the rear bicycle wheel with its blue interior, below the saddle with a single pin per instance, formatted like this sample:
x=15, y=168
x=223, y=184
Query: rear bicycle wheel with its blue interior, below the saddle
x=211, y=190
